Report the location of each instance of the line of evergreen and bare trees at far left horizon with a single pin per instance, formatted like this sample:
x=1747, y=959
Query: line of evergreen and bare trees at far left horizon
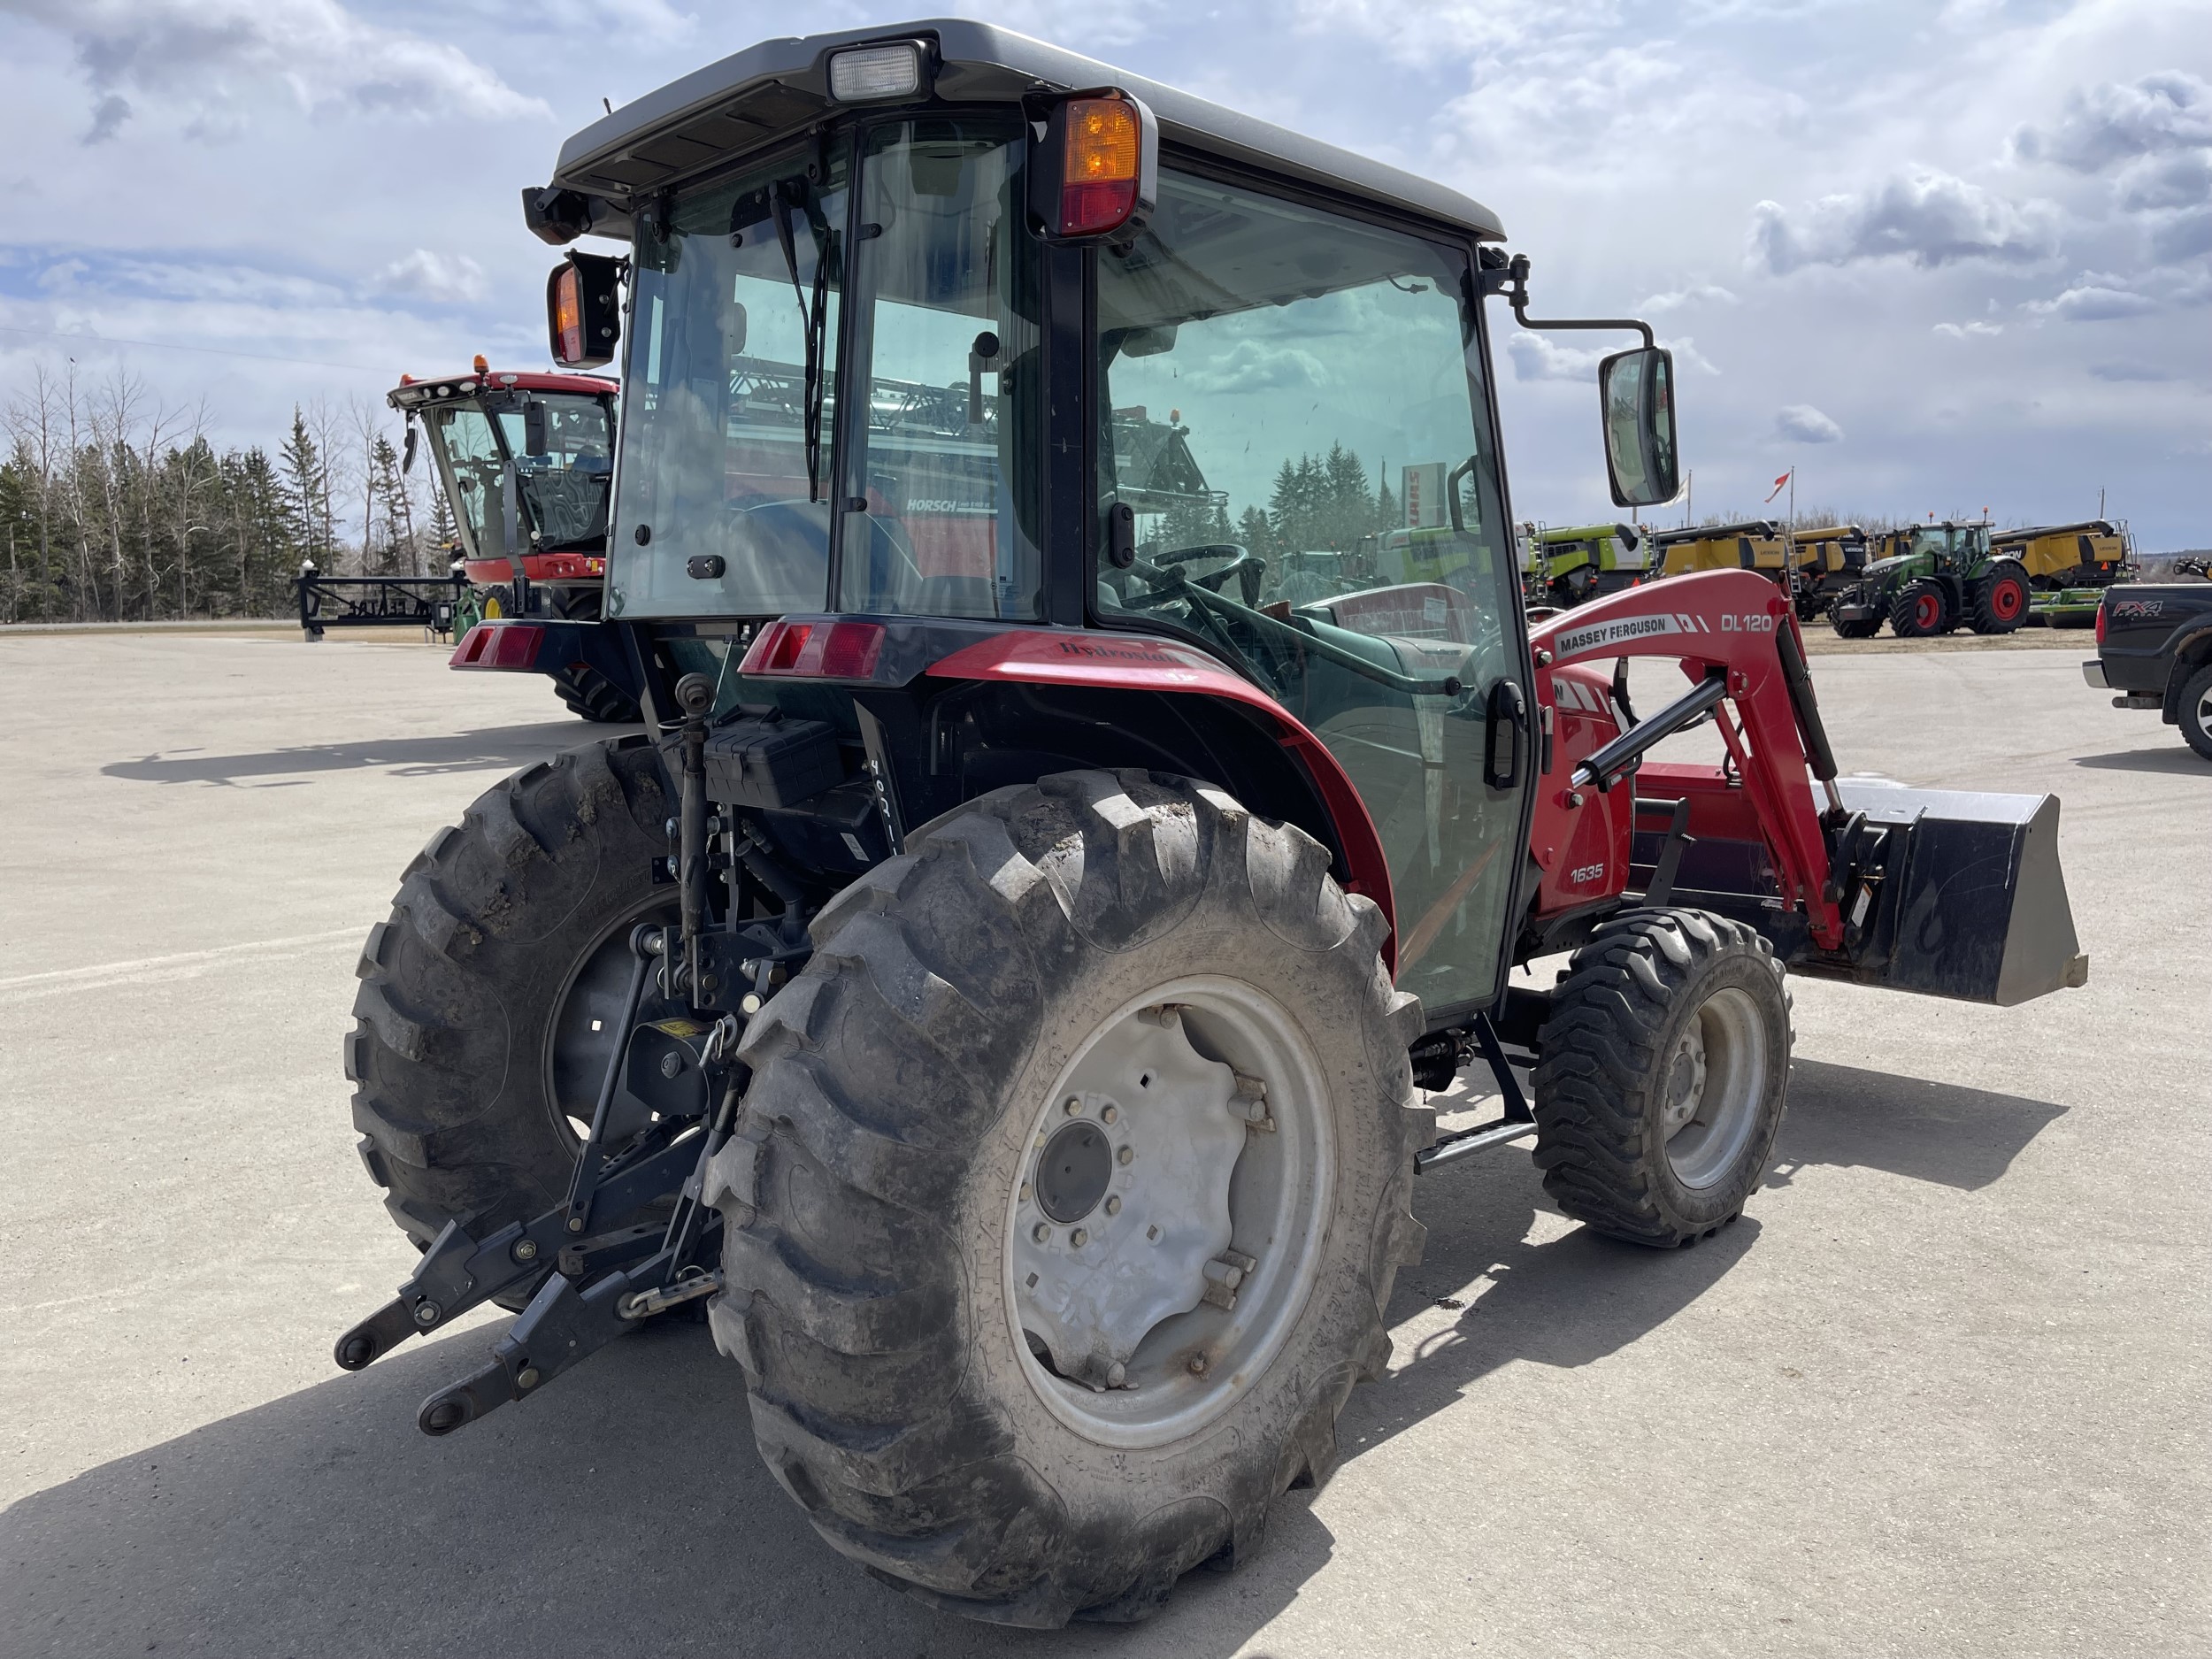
x=116, y=508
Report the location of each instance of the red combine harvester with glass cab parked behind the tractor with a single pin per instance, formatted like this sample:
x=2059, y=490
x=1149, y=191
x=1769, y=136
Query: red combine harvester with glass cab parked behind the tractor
x=525, y=463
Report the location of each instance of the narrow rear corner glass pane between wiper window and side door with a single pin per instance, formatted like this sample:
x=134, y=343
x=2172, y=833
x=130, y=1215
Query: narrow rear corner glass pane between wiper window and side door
x=950, y=344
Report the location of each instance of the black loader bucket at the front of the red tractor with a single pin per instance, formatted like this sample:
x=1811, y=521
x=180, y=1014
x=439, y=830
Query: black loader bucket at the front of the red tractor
x=1965, y=899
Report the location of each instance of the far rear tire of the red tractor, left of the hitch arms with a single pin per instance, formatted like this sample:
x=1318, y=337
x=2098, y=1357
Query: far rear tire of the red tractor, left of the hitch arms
x=479, y=1043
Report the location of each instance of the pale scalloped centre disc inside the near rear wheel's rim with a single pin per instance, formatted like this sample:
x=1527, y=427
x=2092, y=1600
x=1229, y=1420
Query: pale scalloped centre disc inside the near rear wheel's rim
x=1127, y=1202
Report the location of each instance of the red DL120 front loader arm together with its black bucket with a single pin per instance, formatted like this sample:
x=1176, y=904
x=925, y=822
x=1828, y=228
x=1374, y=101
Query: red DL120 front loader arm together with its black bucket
x=1939, y=893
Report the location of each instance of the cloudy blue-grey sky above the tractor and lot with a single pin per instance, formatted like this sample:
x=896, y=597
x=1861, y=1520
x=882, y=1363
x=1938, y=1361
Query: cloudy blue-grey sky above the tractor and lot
x=1939, y=255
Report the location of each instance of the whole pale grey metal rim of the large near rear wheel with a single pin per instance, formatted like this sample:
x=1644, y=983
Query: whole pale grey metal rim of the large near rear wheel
x=1134, y=1350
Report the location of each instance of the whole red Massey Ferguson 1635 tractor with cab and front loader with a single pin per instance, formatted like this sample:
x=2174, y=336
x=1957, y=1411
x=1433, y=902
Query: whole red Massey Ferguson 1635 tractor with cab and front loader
x=1003, y=983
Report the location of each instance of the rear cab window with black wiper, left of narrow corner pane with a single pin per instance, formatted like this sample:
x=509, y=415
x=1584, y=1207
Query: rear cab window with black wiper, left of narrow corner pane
x=724, y=435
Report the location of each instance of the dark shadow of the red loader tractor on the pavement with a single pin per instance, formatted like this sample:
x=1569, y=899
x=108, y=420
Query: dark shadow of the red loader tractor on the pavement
x=627, y=1512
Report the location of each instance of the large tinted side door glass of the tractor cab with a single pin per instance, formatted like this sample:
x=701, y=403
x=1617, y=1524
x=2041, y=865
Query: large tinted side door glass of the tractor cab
x=1293, y=410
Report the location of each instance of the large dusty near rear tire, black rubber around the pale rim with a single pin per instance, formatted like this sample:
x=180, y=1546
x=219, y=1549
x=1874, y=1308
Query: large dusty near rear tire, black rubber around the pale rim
x=866, y=1193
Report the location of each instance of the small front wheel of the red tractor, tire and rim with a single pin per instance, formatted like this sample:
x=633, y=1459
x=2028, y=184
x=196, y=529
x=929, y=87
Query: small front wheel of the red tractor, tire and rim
x=1665, y=1076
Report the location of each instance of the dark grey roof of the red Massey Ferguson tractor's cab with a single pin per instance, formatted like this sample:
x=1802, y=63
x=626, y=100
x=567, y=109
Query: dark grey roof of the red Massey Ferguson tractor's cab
x=780, y=87
